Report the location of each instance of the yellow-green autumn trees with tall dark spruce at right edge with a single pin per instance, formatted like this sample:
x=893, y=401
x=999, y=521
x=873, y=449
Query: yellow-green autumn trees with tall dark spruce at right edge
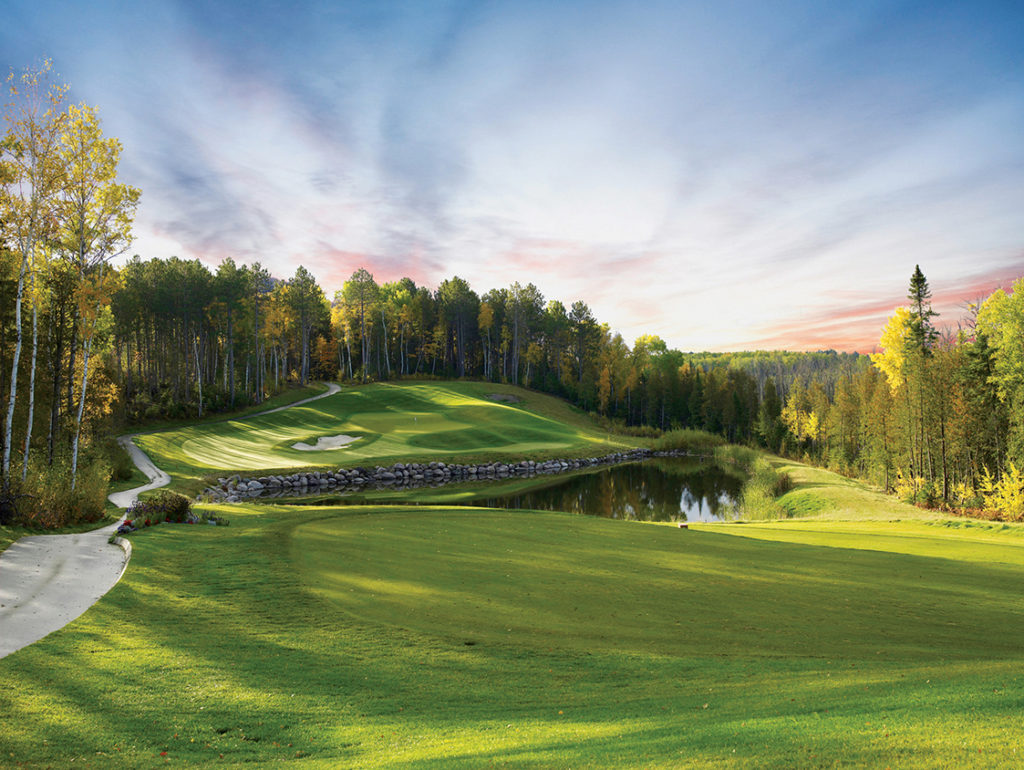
x=940, y=415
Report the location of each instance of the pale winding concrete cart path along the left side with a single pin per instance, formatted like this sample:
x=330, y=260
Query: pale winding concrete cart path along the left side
x=48, y=581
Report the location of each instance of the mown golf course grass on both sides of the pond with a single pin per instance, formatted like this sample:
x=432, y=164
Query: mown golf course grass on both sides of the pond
x=858, y=632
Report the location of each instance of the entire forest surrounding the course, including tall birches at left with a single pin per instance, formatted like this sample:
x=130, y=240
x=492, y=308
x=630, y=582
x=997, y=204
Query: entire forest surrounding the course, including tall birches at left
x=91, y=344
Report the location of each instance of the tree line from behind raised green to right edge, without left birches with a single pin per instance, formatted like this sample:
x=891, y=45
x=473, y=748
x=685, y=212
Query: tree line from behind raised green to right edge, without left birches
x=934, y=416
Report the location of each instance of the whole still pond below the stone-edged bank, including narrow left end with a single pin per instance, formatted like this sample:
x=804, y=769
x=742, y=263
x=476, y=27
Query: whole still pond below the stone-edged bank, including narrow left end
x=656, y=490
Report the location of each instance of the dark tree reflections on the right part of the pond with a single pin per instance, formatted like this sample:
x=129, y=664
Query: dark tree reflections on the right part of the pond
x=663, y=490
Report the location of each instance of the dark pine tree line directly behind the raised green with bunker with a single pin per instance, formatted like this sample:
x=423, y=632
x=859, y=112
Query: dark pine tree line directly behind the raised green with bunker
x=189, y=340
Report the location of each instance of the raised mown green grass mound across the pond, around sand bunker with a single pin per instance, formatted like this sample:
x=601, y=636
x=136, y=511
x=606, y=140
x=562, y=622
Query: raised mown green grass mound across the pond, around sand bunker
x=395, y=422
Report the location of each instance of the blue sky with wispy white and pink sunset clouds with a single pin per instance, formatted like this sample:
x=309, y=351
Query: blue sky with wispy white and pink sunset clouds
x=726, y=176
